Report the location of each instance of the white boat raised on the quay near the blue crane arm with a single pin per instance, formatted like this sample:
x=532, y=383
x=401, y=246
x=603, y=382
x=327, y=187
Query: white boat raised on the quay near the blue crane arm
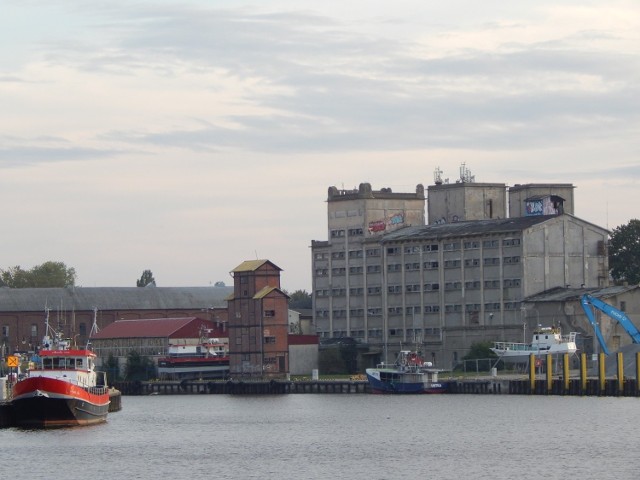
x=546, y=340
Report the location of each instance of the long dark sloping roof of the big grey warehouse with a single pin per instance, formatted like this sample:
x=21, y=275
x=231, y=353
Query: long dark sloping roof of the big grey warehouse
x=466, y=228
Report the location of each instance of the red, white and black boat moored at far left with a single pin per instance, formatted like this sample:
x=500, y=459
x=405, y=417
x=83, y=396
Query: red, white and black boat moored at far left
x=63, y=390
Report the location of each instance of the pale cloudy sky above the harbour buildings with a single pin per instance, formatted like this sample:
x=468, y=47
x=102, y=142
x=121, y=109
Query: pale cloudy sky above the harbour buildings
x=187, y=137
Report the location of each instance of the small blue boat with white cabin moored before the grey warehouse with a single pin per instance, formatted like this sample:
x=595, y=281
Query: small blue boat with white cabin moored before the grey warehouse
x=408, y=374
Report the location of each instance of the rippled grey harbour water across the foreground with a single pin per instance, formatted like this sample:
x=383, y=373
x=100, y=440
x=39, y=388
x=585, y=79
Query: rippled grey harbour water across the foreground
x=339, y=436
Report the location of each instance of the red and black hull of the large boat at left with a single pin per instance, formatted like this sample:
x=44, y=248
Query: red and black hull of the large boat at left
x=42, y=402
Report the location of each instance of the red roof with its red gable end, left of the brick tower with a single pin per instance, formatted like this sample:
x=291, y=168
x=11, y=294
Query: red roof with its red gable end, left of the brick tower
x=158, y=328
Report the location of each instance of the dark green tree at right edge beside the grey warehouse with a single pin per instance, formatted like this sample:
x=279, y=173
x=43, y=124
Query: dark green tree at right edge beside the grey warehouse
x=624, y=252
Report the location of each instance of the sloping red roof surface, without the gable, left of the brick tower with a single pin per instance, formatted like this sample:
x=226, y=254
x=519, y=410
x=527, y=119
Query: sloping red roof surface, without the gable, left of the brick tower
x=145, y=328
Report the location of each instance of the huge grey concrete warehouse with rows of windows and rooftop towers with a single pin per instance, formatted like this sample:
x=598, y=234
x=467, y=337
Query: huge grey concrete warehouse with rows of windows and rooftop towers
x=447, y=285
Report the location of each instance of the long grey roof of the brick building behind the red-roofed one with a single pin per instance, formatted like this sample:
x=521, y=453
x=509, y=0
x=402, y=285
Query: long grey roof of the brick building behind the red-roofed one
x=112, y=298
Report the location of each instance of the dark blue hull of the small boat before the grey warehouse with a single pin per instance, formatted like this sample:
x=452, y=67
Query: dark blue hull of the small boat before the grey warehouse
x=393, y=382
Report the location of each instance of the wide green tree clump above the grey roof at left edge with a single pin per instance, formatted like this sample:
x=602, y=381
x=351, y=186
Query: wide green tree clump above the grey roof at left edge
x=48, y=275
